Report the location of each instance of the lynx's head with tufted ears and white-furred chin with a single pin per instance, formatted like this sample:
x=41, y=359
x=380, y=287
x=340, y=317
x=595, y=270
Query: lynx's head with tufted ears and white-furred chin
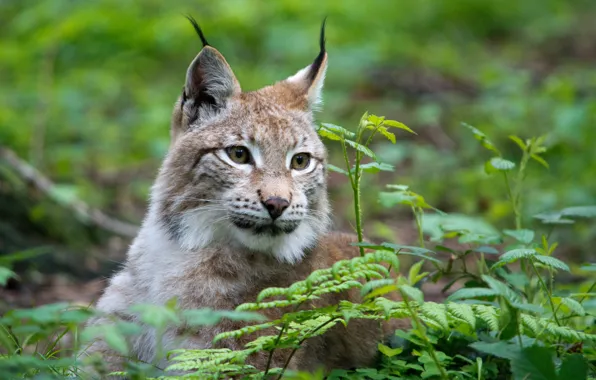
x=246, y=169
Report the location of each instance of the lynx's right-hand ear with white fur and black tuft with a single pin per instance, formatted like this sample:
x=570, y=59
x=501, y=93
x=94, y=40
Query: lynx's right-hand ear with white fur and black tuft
x=309, y=81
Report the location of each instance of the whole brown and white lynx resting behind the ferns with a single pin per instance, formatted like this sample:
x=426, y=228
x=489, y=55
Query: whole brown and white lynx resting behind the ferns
x=240, y=204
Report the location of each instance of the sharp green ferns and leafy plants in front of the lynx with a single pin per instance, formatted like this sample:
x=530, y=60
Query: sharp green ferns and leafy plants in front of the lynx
x=498, y=323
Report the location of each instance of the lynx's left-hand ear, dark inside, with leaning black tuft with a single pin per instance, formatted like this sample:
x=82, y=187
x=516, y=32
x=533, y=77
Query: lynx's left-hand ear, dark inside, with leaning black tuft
x=209, y=79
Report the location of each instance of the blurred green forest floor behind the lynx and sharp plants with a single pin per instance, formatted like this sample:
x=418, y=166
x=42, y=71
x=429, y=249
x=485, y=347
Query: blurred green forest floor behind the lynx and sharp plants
x=87, y=89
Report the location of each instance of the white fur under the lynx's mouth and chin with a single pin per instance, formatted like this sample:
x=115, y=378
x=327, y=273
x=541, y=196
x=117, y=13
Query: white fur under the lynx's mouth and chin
x=285, y=247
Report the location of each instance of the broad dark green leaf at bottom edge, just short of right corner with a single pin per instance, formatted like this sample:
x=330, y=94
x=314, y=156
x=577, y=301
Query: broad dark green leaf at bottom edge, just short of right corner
x=534, y=363
